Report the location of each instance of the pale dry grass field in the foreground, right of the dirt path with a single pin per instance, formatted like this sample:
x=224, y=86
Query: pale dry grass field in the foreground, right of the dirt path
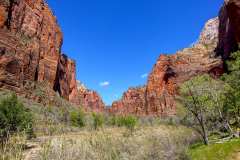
x=148, y=143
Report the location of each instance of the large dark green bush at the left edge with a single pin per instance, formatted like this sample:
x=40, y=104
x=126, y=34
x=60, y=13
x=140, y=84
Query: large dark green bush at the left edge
x=14, y=117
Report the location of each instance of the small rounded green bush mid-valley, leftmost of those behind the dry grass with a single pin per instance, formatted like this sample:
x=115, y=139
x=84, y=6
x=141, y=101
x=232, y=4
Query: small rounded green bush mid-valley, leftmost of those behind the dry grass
x=77, y=118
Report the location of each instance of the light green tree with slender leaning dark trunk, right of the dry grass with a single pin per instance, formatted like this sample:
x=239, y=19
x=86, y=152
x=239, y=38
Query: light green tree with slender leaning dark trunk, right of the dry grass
x=204, y=98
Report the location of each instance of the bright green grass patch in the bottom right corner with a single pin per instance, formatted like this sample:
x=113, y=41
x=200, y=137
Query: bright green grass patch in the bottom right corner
x=221, y=151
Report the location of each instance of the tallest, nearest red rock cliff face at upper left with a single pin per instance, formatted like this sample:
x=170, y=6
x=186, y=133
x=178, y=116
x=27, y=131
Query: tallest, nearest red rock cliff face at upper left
x=30, y=42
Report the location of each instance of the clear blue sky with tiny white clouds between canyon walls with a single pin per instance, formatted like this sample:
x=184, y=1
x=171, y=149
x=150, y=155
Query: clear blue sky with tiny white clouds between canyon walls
x=115, y=43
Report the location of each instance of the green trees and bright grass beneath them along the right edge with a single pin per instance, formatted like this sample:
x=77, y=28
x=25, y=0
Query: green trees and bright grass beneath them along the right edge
x=212, y=107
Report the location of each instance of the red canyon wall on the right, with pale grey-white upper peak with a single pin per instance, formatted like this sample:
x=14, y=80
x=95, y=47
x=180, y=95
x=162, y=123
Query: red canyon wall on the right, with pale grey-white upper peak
x=218, y=39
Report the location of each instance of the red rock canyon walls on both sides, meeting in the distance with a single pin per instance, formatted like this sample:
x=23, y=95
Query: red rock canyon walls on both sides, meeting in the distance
x=30, y=52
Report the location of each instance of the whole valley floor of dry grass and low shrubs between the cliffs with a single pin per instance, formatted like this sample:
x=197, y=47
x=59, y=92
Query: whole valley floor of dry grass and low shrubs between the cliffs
x=74, y=134
